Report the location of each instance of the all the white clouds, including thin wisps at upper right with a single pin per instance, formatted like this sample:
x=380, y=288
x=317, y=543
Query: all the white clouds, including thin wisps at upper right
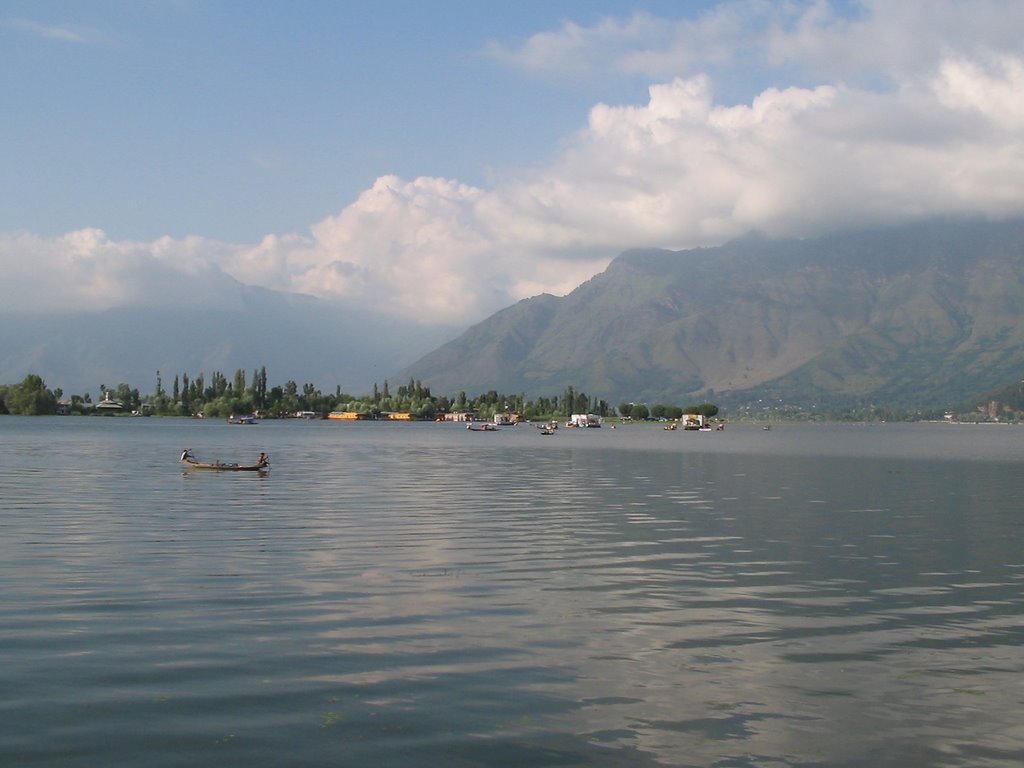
x=918, y=130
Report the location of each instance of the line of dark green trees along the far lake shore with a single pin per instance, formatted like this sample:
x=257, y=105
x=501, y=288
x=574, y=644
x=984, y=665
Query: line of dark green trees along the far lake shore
x=221, y=397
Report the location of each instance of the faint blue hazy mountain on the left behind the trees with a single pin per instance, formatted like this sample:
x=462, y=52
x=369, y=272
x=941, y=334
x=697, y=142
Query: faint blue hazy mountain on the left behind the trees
x=296, y=337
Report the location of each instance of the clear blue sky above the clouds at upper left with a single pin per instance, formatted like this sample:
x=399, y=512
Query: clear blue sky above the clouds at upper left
x=235, y=119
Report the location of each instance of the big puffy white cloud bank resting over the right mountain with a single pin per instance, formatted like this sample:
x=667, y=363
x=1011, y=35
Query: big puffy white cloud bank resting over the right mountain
x=678, y=172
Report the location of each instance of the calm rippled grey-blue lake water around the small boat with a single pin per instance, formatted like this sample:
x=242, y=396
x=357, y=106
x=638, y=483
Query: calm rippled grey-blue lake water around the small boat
x=421, y=595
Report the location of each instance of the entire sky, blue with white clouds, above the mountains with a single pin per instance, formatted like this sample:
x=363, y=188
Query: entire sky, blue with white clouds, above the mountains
x=442, y=160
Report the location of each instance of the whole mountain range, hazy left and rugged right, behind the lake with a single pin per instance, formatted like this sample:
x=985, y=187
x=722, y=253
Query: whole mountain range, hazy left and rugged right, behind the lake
x=920, y=316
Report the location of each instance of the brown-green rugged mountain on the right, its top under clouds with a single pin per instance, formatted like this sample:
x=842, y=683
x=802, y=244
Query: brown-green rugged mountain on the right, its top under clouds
x=916, y=316
